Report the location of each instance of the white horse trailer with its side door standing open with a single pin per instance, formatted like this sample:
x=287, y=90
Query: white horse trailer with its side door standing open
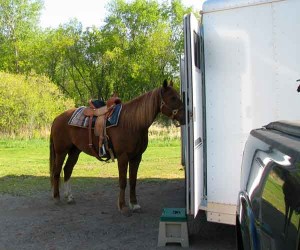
x=239, y=72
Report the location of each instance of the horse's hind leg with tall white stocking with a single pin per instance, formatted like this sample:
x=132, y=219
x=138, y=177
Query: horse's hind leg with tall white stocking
x=73, y=155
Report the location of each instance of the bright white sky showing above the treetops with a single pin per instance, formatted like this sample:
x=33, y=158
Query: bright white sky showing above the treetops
x=88, y=12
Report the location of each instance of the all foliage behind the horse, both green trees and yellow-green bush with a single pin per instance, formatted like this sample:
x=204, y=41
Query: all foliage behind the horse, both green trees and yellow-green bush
x=137, y=48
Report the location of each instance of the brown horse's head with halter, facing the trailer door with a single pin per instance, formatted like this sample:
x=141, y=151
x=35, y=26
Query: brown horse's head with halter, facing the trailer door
x=171, y=104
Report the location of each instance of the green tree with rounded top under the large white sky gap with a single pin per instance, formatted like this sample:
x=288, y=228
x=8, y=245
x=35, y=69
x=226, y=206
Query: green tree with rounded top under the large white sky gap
x=77, y=61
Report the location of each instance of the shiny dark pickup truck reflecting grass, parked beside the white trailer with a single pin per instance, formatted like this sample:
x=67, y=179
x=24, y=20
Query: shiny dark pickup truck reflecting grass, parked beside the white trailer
x=268, y=214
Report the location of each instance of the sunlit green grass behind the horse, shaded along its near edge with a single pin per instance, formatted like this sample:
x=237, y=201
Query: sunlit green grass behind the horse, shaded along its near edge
x=24, y=166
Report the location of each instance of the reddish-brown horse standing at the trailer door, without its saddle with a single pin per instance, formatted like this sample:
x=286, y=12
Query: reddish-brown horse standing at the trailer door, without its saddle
x=129, y=139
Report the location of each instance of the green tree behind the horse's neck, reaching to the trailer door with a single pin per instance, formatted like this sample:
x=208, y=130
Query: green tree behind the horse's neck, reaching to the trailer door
x=148, y=36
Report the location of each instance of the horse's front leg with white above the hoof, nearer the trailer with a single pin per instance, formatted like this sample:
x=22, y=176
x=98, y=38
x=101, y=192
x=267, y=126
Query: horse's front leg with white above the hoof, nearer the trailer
x=133, y=169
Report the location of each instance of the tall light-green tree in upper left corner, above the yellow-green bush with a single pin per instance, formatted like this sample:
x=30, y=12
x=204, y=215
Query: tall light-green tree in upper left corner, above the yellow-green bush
x=19, y=21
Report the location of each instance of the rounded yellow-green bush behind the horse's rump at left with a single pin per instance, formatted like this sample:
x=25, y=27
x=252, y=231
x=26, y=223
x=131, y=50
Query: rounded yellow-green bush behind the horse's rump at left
x=28, y=105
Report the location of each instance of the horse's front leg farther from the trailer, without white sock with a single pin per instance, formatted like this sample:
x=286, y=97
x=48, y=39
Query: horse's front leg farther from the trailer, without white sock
x=122, y=166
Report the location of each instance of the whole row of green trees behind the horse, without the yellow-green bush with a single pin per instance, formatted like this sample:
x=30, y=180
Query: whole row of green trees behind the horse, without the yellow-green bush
x=137, y=48
